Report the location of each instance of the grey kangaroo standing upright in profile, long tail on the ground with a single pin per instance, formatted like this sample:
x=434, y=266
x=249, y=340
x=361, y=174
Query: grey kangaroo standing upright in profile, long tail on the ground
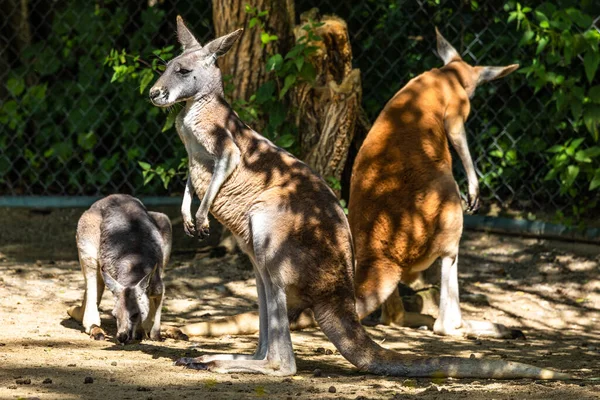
x=289, y=223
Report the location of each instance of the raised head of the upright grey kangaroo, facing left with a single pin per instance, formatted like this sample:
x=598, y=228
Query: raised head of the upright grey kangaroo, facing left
x=194, y=73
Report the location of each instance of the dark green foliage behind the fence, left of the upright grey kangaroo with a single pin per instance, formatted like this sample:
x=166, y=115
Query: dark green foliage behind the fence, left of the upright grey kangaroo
x=69, y=130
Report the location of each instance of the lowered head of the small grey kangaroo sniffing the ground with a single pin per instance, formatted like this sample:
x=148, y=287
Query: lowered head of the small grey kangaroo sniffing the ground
x=132, y=305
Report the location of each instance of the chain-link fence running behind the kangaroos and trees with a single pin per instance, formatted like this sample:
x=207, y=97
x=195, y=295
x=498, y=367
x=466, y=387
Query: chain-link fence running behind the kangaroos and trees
x=68, y=130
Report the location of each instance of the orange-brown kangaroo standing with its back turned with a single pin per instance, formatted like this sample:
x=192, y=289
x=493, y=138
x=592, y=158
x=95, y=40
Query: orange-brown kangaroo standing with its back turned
x=405, y=209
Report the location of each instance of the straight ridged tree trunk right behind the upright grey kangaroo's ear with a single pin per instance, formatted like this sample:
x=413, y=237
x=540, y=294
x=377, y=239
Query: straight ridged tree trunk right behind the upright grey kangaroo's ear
x=246, y=61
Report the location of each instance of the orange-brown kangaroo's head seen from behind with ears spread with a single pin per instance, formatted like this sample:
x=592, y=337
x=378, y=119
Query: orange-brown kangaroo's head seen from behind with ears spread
x=471, y=76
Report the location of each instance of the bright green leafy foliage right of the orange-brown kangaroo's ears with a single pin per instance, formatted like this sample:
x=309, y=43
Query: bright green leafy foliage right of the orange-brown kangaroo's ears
x=564, y=49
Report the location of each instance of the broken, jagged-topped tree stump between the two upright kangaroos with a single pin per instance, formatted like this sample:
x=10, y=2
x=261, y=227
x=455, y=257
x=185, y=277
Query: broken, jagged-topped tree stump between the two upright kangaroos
x=328, y=111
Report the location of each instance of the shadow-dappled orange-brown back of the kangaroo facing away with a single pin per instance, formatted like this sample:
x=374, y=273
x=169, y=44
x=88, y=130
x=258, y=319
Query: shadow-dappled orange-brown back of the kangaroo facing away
x=402, y=176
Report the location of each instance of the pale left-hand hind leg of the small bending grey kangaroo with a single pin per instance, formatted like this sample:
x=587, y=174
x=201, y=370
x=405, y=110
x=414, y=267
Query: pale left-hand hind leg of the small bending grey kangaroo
x=88, y=245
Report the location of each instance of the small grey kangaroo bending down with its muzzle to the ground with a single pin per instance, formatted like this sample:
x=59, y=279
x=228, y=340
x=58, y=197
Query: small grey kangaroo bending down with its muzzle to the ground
x=125, y=247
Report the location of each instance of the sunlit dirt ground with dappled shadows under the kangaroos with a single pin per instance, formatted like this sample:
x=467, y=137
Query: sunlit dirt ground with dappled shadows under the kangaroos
x=549, y=289
